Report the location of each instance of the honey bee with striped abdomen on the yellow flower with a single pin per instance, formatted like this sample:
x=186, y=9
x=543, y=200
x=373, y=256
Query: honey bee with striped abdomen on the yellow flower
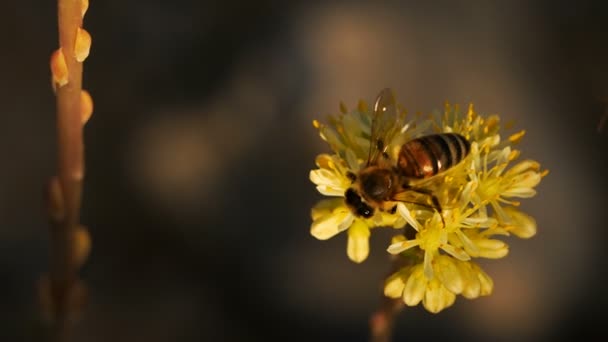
x=383, y=182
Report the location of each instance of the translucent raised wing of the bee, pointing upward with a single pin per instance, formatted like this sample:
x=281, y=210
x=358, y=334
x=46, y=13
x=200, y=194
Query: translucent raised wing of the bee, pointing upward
x=386, y=122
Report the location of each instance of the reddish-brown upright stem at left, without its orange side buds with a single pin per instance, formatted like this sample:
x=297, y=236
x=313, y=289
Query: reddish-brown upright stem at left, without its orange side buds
x=65, y=198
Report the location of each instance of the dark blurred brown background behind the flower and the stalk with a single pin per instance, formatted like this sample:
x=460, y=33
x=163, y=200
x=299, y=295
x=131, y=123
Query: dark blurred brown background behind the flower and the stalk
x=197, y=193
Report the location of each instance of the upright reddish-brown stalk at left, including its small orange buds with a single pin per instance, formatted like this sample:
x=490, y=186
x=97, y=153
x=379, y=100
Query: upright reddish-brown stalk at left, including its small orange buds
x=61, y=291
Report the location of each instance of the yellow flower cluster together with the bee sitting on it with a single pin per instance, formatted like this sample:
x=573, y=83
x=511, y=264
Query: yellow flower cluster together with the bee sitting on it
x=447, y=185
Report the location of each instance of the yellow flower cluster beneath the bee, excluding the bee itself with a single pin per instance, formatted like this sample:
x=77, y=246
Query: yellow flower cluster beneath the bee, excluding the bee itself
x=477, y=197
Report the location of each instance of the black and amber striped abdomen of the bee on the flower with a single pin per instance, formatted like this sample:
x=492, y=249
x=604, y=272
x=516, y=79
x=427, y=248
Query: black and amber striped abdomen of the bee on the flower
x=429, y=155
